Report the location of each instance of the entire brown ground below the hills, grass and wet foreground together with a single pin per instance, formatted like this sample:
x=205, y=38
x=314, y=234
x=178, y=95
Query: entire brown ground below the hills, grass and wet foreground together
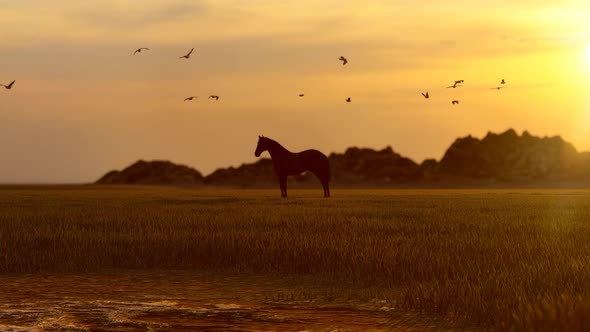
x=137, y=258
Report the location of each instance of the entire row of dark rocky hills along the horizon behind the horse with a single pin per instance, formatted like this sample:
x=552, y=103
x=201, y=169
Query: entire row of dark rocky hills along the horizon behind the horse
x=506, y=158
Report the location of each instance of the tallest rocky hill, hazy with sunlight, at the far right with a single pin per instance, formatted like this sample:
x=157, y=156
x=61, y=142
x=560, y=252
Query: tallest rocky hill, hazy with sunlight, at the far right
x=509, y=157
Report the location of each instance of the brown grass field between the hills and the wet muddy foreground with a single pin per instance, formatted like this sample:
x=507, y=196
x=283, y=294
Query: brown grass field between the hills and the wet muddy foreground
x=518, y=257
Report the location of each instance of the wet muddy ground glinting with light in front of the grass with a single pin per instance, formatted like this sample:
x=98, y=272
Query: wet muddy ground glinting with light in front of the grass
x=187, y=301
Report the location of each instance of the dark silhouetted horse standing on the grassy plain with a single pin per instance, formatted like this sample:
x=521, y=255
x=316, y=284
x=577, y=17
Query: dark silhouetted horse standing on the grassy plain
x=288, y=163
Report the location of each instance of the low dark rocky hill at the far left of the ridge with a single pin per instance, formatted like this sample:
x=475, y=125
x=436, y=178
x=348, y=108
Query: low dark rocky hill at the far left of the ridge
x=153, y=173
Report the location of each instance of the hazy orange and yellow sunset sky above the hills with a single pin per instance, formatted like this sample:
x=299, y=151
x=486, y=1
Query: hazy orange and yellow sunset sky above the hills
x=82, y=104
